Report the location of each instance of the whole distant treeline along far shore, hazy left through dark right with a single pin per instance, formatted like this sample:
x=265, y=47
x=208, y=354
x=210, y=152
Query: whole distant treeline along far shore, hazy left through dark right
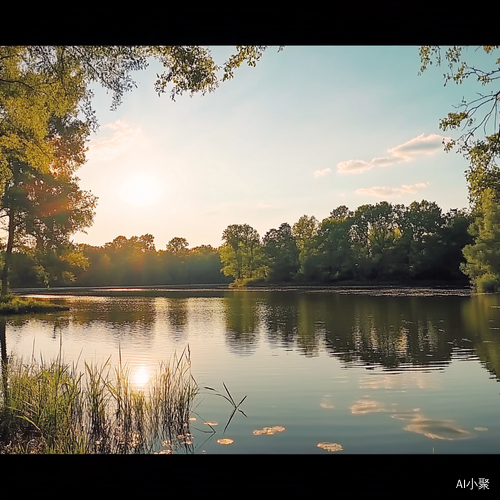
x=375, y=243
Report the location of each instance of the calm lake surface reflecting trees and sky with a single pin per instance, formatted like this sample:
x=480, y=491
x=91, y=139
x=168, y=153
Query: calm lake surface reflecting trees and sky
x=385, y=371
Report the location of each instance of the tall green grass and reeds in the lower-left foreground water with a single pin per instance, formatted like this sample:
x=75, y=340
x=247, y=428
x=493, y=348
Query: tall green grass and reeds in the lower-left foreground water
x=53, y=408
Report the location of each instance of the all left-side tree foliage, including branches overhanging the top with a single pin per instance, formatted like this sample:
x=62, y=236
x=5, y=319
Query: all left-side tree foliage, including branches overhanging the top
x=46, y=117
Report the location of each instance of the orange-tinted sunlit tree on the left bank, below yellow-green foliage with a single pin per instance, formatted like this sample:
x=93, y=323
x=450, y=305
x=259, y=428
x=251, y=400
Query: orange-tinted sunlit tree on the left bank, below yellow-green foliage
x=44, y=207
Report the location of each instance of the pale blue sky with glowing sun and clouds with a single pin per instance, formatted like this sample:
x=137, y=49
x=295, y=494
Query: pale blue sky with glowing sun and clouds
x=306, y=130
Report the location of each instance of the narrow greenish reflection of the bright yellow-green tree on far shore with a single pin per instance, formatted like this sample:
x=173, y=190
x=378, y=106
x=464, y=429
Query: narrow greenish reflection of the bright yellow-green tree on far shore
x=242, y=319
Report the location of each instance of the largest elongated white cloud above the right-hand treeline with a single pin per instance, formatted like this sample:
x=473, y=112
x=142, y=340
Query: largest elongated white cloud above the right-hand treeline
x=409, y=150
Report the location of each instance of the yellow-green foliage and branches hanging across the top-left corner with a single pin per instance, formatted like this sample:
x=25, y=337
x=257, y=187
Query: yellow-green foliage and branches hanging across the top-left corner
x=37, y=82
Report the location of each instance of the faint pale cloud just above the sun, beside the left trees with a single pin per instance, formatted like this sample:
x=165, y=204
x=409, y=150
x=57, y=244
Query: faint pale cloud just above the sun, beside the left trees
x=123, y=138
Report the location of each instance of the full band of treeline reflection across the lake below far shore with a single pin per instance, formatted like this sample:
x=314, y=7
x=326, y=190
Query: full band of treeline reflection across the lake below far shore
x=397, y=333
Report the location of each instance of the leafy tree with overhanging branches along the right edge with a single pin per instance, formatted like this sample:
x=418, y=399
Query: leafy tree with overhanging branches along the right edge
x=479, y=142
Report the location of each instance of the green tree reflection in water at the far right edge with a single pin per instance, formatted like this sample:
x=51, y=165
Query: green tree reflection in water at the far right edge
x=481, y=315
